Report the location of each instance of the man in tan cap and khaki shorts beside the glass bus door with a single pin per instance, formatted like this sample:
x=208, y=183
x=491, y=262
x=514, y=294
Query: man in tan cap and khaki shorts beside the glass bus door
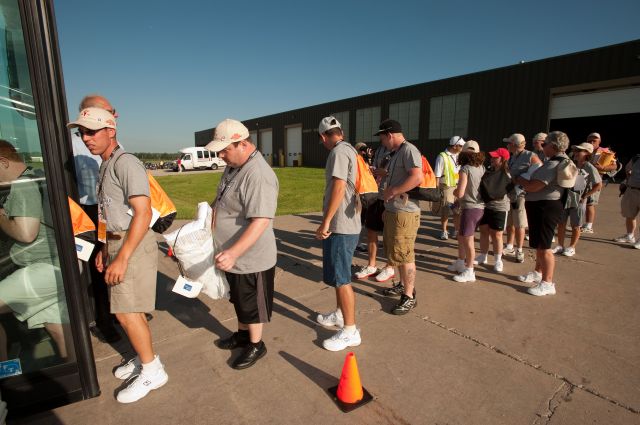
x=123, y=186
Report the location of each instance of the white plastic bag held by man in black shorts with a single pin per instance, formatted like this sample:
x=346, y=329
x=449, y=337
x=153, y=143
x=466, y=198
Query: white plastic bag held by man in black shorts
x=192, y=245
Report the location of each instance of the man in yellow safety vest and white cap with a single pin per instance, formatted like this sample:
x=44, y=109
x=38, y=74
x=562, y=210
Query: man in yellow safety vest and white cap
x=446, y=170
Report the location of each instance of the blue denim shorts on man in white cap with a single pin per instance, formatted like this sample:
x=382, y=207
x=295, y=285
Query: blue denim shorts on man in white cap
x=337, y=255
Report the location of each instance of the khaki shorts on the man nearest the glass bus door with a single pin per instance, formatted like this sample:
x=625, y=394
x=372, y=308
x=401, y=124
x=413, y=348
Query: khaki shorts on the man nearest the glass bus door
x=137, y=293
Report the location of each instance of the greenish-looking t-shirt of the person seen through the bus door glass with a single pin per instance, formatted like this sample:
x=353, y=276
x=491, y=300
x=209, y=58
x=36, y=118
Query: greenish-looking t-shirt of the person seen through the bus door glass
x=25, y=200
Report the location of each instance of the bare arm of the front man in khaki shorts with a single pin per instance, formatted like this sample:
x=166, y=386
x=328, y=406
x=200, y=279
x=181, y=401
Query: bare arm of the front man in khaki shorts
x=141, y=206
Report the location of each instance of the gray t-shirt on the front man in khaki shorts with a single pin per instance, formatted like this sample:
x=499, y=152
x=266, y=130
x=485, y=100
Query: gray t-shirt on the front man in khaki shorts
x=121, y=177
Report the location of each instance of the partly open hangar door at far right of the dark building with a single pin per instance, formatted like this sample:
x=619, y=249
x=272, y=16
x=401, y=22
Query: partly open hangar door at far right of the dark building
x=612, y=113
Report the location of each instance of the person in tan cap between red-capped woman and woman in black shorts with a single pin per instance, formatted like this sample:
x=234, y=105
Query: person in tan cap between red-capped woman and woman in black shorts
x=519, y=162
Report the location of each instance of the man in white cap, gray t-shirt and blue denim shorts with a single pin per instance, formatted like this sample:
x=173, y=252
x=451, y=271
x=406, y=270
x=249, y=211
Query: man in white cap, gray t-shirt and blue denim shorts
x=339, y=232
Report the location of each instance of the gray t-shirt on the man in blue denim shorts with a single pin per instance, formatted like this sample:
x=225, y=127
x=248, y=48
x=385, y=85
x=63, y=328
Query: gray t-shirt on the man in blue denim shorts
x=341, y=164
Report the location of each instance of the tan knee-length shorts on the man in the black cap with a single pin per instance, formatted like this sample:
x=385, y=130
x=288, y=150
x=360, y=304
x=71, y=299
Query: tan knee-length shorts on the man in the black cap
x=399, y=236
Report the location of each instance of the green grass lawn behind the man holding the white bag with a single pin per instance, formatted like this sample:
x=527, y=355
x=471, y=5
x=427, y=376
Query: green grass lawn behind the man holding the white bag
x=301, y=190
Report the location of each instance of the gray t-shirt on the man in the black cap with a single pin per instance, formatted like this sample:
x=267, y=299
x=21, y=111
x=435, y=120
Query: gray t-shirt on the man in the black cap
x=404, y=159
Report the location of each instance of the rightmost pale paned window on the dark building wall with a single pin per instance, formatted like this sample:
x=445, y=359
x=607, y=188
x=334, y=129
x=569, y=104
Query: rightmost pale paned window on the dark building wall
x=449, y=116
